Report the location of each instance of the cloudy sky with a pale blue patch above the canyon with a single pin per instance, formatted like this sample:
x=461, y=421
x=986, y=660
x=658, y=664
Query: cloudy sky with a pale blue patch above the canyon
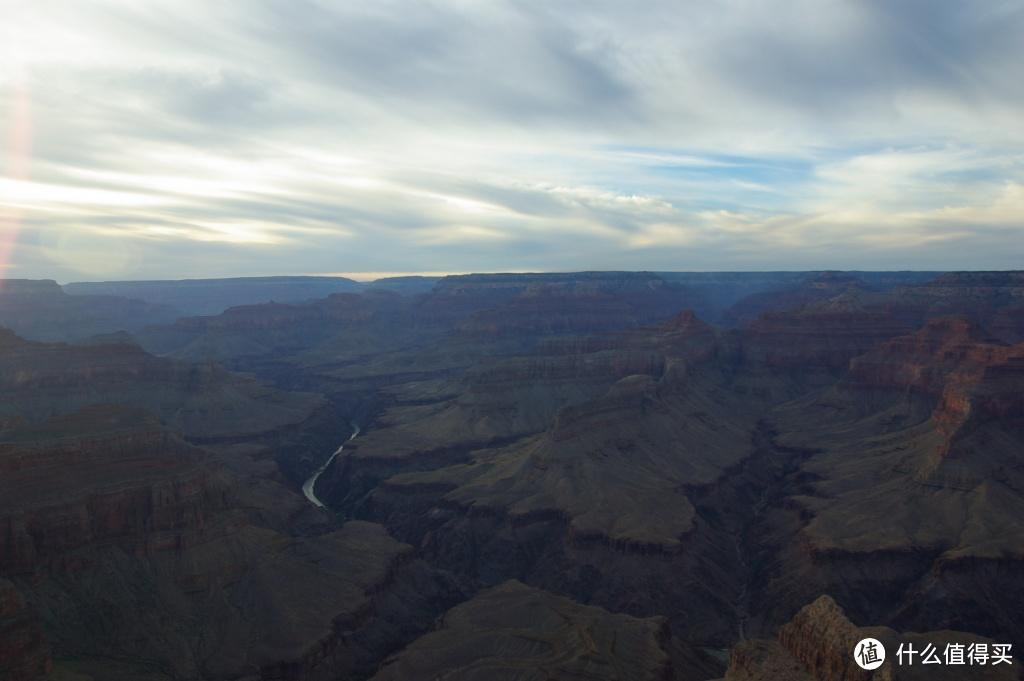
x=169, y=140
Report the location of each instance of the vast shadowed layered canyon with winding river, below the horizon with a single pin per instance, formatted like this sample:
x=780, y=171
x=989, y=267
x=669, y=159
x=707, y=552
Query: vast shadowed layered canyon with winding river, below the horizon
x=593, y=476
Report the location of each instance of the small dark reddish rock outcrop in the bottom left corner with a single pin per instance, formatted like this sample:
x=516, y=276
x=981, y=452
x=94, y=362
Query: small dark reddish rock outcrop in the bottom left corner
x=25, y=655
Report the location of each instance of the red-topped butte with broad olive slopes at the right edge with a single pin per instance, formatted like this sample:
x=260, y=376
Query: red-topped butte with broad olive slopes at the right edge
x=926, y=427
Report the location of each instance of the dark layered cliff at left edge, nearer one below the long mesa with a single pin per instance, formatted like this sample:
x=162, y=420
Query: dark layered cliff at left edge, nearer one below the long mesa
x=103, y=476
